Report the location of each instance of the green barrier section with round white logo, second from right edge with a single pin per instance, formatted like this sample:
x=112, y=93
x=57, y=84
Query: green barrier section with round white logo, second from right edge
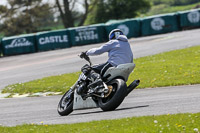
x=160, y=24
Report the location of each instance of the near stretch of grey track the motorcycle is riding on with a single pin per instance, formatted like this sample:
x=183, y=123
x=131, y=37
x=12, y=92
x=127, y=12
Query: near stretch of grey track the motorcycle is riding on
x=142, y=102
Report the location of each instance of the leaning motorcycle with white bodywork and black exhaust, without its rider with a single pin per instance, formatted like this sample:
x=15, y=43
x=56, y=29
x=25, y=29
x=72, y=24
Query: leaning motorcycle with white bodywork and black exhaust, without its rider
x=108, y=97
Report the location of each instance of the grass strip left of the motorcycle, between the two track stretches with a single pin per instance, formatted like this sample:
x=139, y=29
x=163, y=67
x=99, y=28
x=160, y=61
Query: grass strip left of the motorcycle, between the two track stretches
x=58, y=83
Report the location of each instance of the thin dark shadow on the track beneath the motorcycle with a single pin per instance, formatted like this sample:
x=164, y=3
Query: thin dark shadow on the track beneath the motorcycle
x=94, y=112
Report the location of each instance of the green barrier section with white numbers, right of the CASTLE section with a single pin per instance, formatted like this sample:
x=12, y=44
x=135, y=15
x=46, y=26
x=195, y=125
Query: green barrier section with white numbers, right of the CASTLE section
x=87, y=34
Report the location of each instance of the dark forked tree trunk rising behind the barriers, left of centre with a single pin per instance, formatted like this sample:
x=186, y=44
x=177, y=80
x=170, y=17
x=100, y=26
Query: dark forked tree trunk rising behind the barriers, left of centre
x=69, y=15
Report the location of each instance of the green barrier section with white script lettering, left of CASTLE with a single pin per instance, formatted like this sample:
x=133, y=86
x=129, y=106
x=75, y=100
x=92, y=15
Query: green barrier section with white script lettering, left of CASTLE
x=18, y=44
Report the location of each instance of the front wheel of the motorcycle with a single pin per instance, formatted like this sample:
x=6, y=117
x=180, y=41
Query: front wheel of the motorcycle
x=65, y=106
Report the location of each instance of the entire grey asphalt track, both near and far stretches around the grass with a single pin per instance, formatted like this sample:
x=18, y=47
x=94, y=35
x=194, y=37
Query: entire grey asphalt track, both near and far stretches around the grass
x=155, y=101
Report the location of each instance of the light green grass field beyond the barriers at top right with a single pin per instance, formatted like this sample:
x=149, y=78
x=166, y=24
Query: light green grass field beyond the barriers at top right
x=165, y=8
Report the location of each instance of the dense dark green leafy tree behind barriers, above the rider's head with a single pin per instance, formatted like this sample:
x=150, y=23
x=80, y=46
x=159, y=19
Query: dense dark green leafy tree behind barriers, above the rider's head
x=105, y=10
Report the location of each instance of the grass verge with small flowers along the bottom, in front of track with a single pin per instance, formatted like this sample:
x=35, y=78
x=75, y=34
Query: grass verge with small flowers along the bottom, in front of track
x=179, y=123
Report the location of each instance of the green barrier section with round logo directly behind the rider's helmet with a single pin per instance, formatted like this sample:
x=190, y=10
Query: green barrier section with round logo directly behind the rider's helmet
x=130, y=27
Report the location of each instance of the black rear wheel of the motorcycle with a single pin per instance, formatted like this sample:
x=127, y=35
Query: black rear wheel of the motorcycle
x=116, y=97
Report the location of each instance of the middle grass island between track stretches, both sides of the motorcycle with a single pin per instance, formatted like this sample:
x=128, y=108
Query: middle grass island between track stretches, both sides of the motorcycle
x=179, y=67
